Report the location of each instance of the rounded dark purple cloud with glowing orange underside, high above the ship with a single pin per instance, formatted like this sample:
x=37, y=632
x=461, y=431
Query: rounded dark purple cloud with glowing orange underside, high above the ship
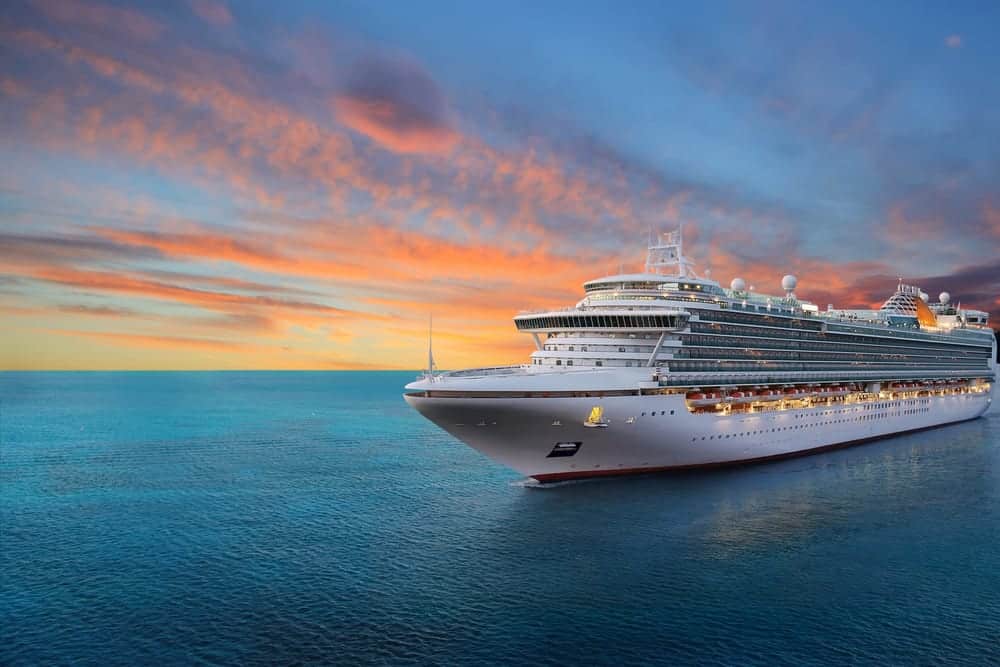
x=397, y=105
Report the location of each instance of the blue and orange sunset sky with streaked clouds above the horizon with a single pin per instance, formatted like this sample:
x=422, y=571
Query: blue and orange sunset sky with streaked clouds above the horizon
x=298, y=185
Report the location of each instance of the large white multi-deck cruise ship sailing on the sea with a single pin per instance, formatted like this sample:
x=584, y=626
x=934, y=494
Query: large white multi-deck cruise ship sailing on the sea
x=666, y=370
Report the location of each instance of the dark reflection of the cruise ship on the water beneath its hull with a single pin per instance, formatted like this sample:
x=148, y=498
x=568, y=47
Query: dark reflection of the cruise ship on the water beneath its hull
x=725, y=514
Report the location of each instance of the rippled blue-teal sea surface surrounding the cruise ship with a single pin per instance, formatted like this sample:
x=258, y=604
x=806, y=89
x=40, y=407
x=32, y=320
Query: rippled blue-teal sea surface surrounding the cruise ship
x=220, y=518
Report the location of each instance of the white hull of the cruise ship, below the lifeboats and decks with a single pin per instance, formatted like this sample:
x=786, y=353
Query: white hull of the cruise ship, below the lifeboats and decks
x=658, y=432
